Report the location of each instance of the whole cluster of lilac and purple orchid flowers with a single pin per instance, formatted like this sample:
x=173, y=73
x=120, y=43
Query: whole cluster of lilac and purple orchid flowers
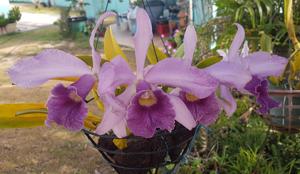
x=155, y=97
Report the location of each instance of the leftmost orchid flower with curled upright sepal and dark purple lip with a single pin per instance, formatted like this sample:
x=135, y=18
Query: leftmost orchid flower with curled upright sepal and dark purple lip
x=66, y=105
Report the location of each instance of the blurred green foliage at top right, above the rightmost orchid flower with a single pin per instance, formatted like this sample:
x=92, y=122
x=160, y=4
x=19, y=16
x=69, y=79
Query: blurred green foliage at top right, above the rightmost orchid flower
x=263, y=21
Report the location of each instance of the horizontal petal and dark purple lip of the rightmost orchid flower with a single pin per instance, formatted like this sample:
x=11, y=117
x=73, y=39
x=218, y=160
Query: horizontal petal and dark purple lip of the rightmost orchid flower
x=258, y=86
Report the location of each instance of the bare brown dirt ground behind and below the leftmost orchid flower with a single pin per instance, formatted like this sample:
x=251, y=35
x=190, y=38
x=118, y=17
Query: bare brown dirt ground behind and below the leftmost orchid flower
x=41, y=150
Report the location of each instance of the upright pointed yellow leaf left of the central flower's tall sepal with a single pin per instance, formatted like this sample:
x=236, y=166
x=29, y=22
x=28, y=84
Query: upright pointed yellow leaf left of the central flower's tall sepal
x=111, y=47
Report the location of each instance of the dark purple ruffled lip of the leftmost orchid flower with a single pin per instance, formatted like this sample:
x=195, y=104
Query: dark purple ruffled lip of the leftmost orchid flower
x=66, y=105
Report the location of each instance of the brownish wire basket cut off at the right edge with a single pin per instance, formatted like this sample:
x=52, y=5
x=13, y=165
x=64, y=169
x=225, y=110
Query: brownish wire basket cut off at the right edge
x=285, y=118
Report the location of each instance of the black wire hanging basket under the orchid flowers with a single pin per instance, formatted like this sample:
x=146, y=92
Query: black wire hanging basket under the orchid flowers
x=142, y=155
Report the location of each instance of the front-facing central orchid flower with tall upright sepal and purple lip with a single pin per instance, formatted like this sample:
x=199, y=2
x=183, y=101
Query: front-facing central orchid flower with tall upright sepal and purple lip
x=144, y=107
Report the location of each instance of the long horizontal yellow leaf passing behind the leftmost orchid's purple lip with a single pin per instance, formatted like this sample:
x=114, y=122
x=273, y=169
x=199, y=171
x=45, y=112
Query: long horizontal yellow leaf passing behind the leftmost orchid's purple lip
x=32, y=115
